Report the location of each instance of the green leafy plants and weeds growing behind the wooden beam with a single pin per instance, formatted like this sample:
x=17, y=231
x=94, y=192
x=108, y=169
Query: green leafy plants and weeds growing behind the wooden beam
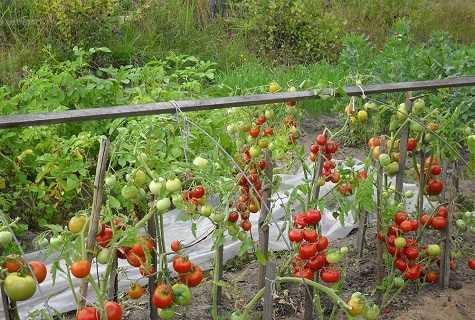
x=157, y=50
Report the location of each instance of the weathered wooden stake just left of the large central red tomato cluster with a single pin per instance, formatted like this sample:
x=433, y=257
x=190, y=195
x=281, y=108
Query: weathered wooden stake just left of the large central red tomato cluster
x=265, y=213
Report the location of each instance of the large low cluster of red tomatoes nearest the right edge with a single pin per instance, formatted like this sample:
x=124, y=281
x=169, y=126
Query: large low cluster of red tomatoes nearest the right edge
x=410, y=257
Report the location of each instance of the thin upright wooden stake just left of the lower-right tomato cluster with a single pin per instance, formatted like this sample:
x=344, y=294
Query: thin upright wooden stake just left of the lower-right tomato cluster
x=379, y=229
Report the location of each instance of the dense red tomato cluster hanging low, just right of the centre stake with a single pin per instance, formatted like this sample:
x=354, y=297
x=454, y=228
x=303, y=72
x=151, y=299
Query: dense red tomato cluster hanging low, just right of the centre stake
x=311, y=249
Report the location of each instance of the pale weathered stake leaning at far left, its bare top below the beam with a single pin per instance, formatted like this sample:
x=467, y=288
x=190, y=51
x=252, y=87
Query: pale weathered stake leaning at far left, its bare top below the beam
x=96, y=210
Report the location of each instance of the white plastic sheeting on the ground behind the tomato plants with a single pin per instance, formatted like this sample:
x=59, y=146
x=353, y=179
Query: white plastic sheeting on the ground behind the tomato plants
x=59, y=296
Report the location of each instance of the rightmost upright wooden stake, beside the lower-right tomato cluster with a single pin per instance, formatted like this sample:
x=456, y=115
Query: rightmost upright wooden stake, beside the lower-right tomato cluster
x=446, y=240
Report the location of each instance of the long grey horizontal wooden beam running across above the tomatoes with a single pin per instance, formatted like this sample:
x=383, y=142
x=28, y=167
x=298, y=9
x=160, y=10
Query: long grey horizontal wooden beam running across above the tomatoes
x=36, y=119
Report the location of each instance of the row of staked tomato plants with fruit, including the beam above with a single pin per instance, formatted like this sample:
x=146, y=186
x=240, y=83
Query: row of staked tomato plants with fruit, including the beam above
x=125, y=220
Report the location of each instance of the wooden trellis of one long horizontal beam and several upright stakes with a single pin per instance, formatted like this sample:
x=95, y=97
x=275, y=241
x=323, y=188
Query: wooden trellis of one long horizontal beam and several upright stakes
x=37, y=119
